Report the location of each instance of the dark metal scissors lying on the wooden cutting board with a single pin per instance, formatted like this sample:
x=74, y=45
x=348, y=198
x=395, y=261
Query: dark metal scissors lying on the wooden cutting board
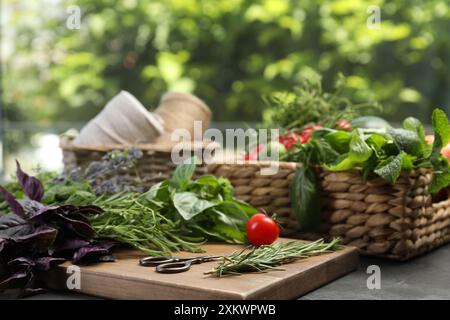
x=167, y=264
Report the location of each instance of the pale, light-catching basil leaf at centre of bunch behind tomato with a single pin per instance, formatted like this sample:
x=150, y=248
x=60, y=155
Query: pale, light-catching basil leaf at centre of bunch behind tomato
x=189, y=205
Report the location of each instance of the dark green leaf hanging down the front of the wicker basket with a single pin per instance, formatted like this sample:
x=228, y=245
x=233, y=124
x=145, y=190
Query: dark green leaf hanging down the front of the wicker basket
x=305, y=199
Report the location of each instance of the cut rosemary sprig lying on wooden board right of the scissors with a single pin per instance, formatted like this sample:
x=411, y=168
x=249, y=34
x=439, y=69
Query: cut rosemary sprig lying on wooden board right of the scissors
x=270, y=257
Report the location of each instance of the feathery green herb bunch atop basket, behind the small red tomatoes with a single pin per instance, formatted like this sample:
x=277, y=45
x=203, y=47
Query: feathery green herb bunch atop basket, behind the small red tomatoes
x=309, y=103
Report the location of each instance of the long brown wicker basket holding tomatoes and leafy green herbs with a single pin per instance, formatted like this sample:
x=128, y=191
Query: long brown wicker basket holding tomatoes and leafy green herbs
x=394, y=221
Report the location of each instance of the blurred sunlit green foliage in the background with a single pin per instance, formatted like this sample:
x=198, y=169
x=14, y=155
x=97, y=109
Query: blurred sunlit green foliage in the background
x=230, y=53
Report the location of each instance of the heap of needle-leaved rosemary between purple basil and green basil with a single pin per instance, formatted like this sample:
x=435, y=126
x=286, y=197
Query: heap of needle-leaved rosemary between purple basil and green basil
x=127, y=218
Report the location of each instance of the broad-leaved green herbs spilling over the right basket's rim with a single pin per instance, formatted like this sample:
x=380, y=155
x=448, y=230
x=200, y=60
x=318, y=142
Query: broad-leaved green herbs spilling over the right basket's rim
x=383, y=152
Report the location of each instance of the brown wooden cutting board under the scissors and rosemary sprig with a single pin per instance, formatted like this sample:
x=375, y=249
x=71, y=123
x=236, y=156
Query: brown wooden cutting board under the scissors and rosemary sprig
x=125, y=279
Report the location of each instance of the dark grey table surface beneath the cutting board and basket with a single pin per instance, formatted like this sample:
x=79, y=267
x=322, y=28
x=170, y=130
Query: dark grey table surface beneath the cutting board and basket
x=425, y=277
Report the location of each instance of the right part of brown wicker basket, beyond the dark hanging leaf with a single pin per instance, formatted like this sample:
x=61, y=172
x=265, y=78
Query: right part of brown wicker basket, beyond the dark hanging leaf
x=397, y=221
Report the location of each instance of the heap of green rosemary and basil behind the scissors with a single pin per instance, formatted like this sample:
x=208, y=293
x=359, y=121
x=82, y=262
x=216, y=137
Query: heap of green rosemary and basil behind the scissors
x=178, y=214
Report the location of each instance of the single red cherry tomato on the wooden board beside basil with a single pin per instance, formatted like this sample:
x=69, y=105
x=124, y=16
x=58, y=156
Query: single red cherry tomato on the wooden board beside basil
x=262, y=229
